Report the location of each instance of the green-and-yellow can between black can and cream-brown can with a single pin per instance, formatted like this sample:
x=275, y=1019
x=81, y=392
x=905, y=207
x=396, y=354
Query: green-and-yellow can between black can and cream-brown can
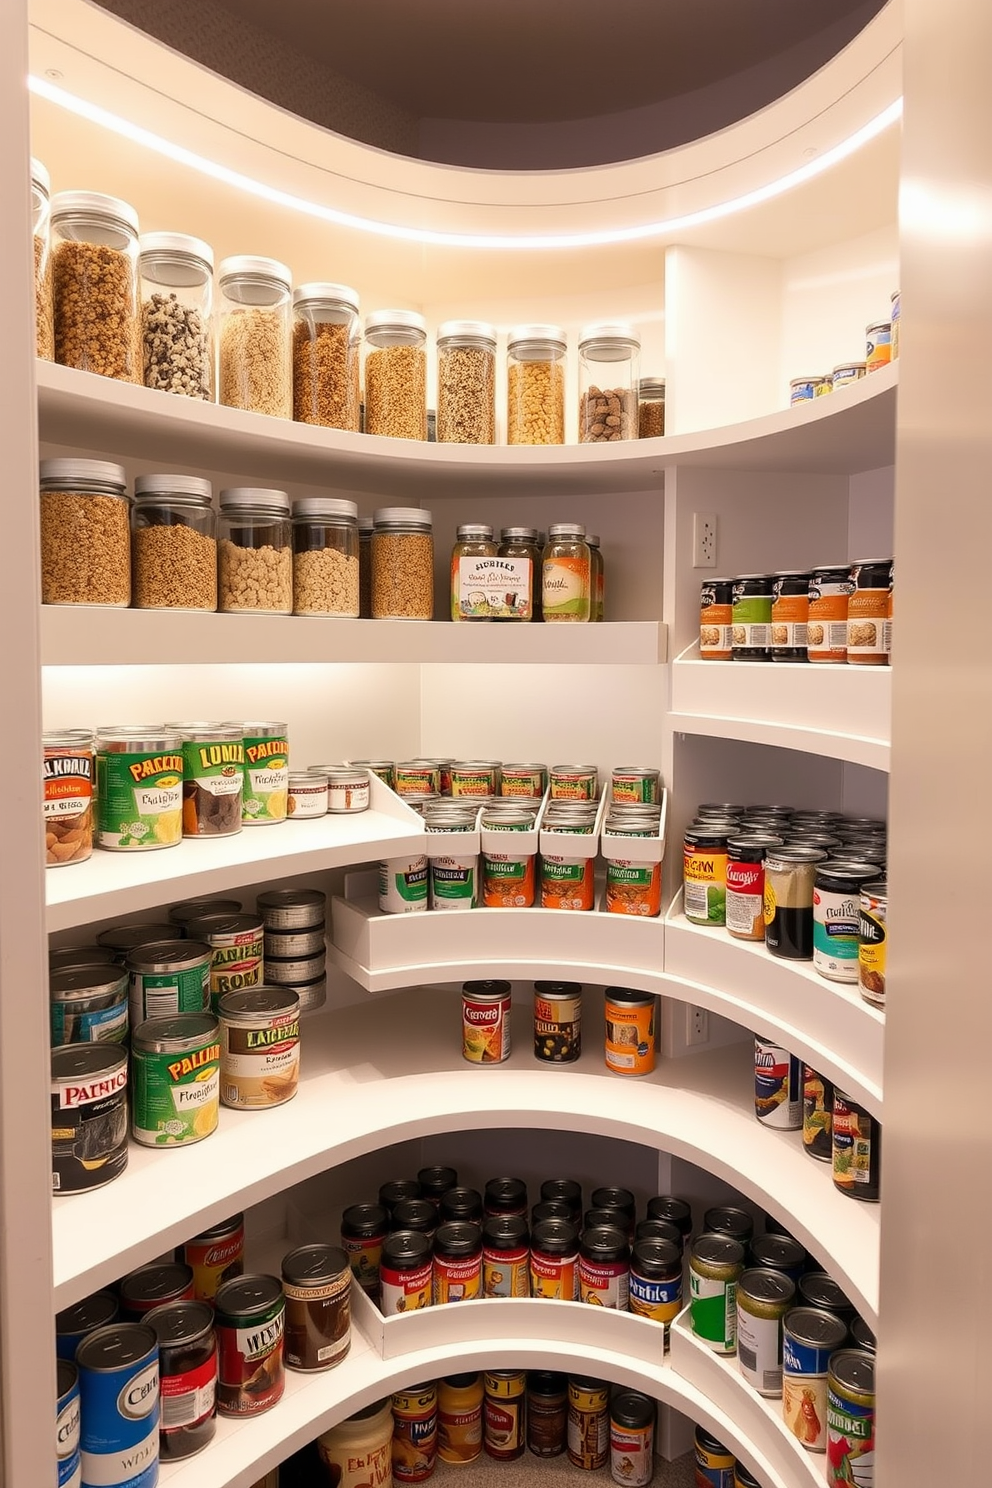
x=175, y=1081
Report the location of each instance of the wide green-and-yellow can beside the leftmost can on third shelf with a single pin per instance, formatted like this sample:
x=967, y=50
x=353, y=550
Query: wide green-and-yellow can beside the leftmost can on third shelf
x=139, y=788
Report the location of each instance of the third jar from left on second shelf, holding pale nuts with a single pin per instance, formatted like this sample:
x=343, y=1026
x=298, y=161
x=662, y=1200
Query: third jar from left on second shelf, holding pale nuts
x=255, y=563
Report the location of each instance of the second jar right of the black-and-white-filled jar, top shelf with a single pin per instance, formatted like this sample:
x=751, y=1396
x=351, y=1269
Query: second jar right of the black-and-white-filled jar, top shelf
x=326, y=356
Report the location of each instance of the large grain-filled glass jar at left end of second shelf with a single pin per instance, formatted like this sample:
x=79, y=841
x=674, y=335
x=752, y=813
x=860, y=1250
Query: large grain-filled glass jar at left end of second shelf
x=86, y=535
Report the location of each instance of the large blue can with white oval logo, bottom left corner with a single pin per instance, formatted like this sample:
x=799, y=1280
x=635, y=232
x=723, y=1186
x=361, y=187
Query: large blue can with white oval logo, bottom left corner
x=120, y=1392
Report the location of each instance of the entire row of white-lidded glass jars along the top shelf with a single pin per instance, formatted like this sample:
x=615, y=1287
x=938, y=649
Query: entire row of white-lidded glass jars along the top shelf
x=142, y=309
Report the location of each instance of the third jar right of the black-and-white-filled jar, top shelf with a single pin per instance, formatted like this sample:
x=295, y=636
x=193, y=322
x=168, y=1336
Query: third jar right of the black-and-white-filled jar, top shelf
x=396, y=374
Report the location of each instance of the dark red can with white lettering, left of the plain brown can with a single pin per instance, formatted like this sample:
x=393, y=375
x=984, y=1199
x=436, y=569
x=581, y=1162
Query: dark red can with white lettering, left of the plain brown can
x=251, y=1338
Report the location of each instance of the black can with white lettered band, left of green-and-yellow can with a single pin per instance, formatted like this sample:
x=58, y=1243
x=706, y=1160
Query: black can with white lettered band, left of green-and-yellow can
x=90, y=1117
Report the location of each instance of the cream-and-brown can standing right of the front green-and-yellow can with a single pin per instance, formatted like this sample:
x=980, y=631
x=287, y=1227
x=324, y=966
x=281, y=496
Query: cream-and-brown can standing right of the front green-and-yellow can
x=260, y=1048
